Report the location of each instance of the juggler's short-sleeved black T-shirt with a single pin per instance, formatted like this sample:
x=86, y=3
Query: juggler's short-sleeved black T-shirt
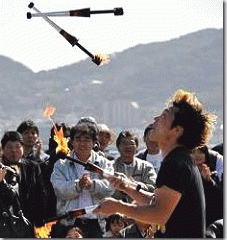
x=178, y=173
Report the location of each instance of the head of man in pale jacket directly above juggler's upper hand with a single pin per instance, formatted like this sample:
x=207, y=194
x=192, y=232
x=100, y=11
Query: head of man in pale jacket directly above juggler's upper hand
x=127, y=144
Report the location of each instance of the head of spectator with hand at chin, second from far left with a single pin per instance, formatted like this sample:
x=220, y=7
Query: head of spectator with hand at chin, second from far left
x=30, y=134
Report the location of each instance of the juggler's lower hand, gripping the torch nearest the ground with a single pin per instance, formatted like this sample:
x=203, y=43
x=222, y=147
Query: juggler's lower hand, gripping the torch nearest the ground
x=108, y=206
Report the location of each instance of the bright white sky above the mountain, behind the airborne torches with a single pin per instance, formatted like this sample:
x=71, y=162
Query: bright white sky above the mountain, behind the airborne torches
x=37, y=45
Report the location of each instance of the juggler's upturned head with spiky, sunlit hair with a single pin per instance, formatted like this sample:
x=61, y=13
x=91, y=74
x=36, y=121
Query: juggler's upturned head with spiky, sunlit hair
x=173, y=125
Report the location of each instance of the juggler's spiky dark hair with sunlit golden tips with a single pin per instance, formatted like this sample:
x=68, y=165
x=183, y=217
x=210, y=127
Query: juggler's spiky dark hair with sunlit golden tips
x=190, y=114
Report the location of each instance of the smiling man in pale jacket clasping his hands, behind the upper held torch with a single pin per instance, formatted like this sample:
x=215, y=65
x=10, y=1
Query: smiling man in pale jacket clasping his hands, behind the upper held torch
x=75, y=187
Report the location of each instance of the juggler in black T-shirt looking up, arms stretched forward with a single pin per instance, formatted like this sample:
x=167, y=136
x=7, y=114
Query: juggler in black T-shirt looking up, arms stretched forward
x=178, y=201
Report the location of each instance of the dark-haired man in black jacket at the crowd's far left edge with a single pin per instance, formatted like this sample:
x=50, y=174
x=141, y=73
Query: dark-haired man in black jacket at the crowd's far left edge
x=27, y=179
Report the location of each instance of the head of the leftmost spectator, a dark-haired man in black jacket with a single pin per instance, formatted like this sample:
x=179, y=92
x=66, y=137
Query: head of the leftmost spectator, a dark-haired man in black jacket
x=12, y=146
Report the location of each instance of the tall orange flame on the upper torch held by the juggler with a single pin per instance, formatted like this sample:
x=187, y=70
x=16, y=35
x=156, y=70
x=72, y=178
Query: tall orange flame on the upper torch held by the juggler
x=62, y=142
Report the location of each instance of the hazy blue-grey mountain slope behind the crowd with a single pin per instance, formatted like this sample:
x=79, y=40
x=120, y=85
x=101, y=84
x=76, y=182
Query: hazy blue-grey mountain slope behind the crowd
x=127, y=92
